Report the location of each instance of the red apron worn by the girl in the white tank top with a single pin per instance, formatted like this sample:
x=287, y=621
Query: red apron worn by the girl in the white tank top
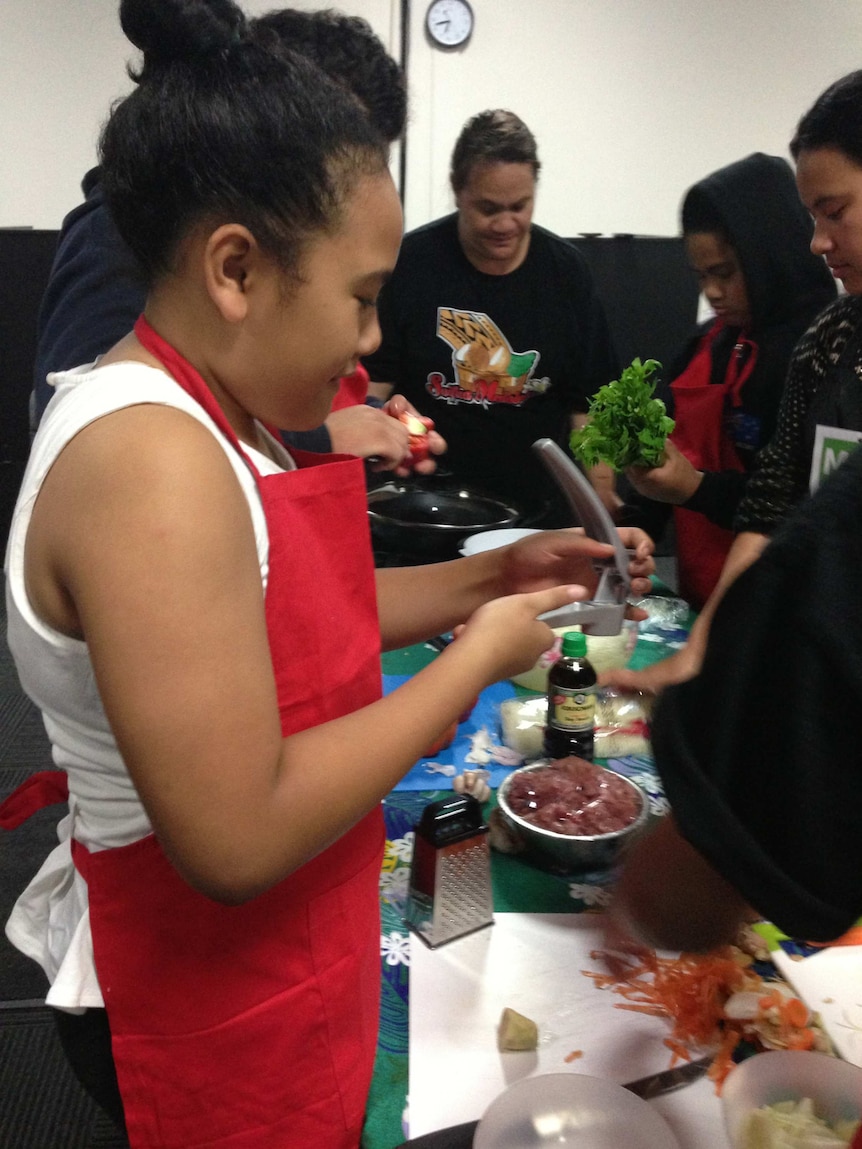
x=256, y=1027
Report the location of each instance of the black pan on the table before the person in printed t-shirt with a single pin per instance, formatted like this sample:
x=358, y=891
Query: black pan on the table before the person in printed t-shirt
x=422, y=519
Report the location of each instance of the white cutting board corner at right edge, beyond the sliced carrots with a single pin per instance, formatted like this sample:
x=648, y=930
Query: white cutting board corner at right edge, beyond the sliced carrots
x=830, y=984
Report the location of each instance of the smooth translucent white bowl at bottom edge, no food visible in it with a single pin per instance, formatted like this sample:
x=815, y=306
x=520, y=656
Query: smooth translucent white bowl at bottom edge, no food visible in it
x=572, y=1111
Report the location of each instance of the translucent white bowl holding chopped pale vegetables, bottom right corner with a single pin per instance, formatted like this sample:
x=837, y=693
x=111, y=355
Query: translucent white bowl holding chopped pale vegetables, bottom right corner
x=833, y=1085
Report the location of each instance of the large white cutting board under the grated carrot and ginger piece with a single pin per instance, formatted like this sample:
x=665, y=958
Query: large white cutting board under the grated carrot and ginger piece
x=533, y=963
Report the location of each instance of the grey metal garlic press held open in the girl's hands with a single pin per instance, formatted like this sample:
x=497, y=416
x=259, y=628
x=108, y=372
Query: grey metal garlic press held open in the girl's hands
x=604, y=614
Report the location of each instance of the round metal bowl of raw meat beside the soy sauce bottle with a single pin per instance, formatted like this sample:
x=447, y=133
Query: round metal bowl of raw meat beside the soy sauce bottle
x=573, y=815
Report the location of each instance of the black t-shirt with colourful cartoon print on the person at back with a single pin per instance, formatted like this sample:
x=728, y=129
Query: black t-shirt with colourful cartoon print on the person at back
x=496, y=361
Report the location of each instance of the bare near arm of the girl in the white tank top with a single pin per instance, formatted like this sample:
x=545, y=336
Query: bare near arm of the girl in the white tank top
x=156, y=566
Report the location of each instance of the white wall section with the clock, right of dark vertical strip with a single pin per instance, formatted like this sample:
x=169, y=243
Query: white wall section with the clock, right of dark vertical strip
x=632, y=101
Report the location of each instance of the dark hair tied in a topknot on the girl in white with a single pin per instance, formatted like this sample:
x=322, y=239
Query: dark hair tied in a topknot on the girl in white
x=227, y=126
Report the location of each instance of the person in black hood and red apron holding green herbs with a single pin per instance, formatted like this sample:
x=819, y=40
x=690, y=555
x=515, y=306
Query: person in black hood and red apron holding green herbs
x=748, y=237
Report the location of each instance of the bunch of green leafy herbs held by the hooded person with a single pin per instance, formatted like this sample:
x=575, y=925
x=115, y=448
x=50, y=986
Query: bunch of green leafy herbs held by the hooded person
x=628, y=426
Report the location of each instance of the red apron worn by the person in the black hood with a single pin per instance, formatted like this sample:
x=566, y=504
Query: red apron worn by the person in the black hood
x=699, y=408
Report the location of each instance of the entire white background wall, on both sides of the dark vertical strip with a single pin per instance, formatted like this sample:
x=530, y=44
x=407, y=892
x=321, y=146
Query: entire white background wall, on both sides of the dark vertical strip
x=632, y=101
